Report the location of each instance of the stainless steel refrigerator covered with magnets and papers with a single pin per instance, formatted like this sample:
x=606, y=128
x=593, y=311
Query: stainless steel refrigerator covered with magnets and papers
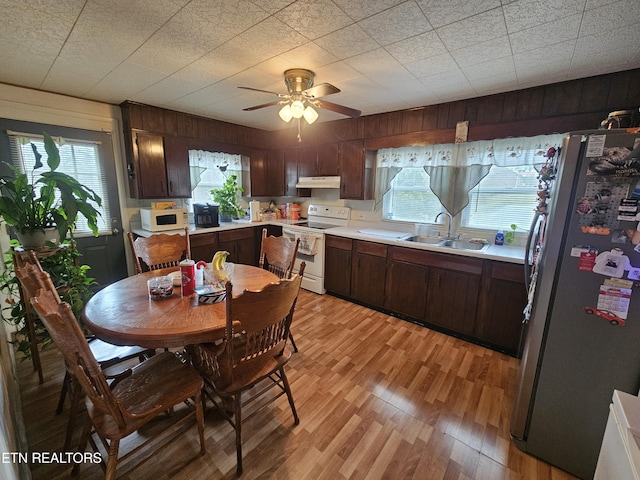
x=582, y=338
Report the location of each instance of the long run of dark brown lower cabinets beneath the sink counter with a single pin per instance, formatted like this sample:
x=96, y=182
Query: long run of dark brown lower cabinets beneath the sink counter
x=481, y=300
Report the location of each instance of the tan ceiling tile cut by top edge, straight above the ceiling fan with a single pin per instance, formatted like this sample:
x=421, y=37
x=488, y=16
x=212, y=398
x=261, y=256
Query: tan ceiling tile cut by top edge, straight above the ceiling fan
x=314, y=18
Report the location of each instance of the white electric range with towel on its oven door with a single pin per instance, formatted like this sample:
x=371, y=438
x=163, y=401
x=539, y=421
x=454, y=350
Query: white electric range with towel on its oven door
x=311, y=247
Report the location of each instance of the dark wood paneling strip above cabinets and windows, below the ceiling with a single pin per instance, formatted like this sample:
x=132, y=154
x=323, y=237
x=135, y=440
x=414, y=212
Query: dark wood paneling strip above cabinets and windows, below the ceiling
x=559, y=107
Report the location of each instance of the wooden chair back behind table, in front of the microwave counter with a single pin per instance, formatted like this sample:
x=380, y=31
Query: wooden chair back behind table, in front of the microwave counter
x=159, y=250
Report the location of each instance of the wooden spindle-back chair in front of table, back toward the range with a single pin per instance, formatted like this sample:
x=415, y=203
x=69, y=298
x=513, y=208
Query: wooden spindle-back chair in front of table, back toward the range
x=254, y=351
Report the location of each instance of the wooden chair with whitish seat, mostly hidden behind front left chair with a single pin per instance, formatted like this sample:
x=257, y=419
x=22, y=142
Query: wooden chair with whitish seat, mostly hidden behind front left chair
x=32, y=278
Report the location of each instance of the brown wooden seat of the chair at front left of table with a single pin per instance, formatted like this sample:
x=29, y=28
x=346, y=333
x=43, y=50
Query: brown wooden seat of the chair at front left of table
x=146, y=392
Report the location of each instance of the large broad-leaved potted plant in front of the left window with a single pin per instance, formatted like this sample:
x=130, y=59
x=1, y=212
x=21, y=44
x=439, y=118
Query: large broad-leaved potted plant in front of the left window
x=50, y=202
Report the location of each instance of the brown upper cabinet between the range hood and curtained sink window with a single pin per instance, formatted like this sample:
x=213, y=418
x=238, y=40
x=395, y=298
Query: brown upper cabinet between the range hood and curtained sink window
x=356, y=171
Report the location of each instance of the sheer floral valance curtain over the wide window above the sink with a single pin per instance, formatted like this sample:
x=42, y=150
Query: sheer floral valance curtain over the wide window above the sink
x=456, y=168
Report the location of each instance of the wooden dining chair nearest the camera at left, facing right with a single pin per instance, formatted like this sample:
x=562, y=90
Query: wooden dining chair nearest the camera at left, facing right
x=130, y=401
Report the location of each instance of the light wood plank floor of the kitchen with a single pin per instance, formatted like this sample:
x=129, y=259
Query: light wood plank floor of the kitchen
x=377, y=397
